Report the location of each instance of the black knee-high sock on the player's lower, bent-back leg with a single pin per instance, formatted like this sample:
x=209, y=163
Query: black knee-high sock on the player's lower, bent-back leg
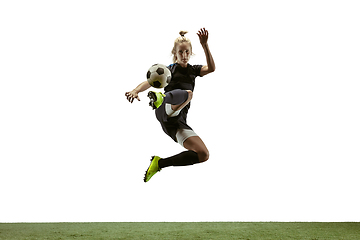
x=181, y=159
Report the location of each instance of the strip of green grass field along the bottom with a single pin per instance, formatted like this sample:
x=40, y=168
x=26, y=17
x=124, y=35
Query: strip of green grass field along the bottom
x=182, y=230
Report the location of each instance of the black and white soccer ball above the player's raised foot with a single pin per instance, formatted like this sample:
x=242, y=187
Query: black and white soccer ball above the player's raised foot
x=158, y=76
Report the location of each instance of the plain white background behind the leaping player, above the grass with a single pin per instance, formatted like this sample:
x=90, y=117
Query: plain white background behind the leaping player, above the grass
x=280, y=115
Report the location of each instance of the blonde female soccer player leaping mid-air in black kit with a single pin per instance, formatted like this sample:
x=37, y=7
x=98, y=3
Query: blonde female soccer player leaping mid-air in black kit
x=172, y=107
